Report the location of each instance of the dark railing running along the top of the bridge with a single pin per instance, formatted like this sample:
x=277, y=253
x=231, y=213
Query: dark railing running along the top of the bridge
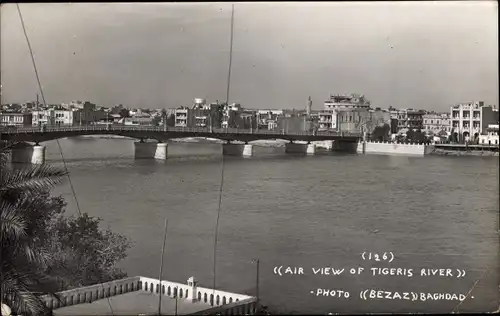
x=125, y=128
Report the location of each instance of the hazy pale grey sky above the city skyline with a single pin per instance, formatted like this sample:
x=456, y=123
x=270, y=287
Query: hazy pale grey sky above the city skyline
x=426, y=55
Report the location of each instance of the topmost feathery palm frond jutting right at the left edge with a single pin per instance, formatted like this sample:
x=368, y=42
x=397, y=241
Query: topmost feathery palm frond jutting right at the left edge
x=32, y=178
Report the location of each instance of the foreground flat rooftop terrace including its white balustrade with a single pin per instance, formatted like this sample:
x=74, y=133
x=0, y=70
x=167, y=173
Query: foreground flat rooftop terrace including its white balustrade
x=141, y=296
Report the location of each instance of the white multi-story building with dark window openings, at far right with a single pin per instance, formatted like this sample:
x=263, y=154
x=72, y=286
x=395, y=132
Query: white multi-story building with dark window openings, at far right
x=471, y=119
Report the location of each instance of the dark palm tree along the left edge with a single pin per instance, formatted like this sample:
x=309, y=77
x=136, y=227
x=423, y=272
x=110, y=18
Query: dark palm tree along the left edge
x=22, y=224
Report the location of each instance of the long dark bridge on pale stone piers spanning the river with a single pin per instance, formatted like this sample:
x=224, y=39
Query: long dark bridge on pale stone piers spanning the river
x=35, y=153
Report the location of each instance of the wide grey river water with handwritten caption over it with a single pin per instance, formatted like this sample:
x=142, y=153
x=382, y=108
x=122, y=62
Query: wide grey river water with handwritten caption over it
x=298, y=211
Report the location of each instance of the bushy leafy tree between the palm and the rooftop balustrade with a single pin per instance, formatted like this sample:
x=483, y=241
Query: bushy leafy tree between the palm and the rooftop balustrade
x=83, y=254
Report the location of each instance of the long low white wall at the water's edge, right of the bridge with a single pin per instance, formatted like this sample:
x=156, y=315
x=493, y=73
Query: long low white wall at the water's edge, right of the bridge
x=386, y=148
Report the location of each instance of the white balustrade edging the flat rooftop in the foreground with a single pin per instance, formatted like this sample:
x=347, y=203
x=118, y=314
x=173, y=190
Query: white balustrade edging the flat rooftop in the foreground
x=88, y=294
